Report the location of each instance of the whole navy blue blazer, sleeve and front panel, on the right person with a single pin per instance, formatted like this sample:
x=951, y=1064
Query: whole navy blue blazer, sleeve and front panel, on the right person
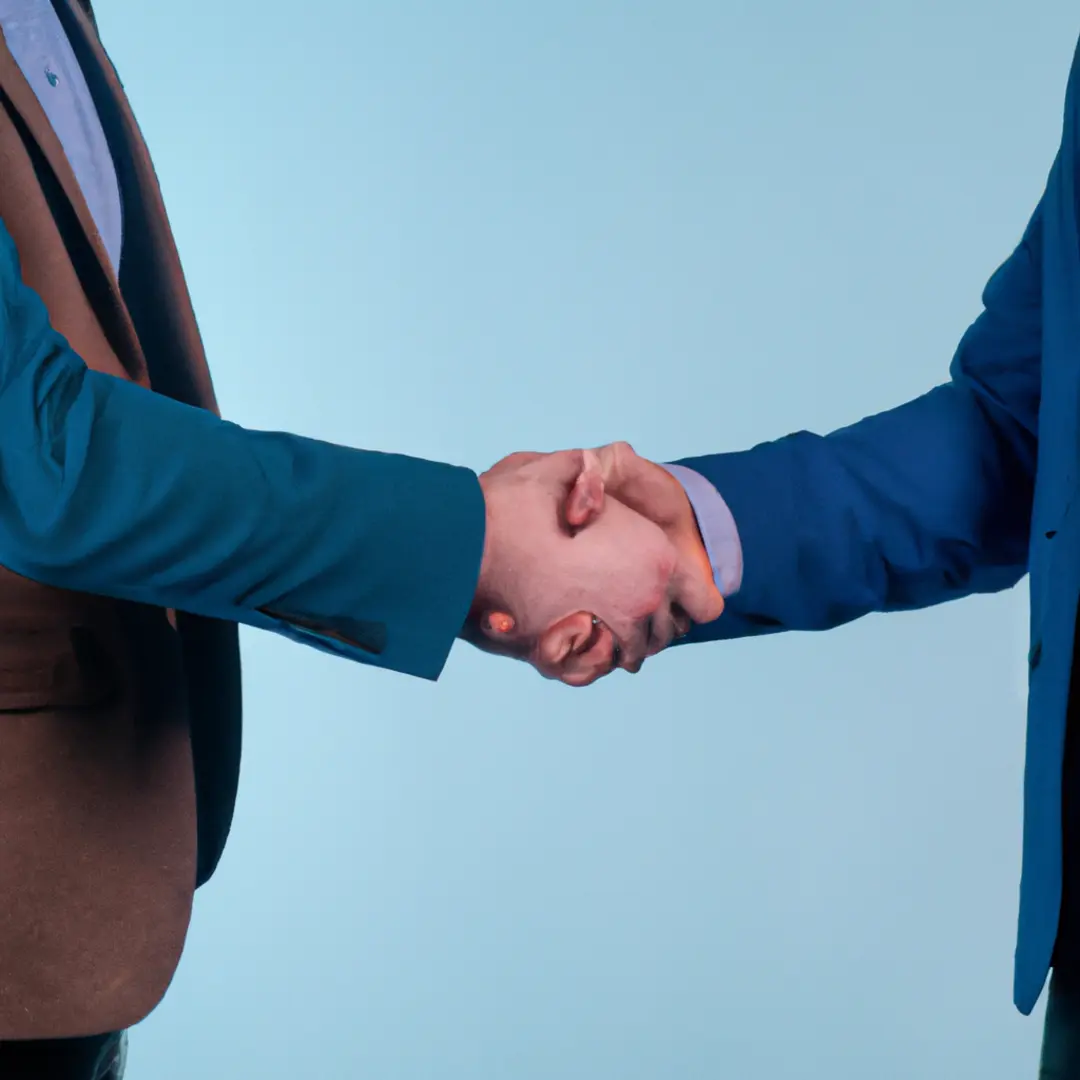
x=962, y=491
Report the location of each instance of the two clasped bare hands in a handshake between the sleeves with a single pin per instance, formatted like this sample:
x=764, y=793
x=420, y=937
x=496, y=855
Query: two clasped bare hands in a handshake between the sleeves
x=592, y=561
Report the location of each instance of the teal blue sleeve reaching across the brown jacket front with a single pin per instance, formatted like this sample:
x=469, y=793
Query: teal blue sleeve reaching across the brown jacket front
x=109, y=489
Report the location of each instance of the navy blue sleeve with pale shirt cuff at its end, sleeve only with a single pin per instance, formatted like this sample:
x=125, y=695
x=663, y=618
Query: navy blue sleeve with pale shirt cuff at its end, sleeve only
x=925, y=504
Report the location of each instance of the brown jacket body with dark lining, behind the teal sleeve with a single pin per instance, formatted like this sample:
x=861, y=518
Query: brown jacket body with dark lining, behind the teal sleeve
x=111, y=714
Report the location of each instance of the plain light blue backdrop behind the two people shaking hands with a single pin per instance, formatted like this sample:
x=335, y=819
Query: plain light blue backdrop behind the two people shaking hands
x=462, y=228
